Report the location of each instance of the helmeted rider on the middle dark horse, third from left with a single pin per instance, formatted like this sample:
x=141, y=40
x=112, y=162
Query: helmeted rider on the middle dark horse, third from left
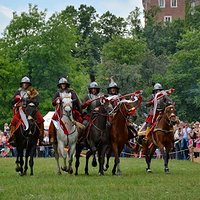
x=91, y=100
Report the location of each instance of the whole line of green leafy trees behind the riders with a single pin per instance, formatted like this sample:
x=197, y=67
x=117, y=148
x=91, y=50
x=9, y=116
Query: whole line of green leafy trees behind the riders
x=82, y=45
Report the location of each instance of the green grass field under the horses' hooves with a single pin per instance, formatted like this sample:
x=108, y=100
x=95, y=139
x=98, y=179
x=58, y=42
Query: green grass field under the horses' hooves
x=182, y=182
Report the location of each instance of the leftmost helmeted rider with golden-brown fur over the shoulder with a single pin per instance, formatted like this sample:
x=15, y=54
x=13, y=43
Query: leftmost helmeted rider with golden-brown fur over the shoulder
x=23, y=96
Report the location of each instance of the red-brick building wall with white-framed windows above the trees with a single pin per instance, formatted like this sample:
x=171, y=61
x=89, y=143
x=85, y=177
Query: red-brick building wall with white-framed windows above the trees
x=168, y=9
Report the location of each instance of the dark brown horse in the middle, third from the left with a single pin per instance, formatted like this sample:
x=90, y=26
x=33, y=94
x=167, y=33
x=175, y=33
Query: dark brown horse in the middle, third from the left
x=96, y=138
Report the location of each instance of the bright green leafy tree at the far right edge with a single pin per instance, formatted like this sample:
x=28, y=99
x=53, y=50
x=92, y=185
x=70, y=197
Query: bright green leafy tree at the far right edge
x=183, y=73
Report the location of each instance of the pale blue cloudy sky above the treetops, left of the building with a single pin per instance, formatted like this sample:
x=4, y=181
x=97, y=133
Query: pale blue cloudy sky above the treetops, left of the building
x=120, y=8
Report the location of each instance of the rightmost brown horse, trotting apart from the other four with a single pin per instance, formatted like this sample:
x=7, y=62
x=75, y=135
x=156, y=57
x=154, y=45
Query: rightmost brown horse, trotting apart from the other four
x=162, y=137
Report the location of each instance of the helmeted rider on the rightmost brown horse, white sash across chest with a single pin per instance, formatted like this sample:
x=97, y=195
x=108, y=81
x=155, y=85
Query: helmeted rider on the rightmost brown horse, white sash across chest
x=159, y=101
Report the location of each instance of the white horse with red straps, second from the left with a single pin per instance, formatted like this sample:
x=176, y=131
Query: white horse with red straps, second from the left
x=63, y=125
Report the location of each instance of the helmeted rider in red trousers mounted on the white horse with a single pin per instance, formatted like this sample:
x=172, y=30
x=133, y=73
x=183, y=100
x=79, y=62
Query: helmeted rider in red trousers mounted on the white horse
x=63, y=90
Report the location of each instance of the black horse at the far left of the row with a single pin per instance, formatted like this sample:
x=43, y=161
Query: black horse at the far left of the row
x=27, y=135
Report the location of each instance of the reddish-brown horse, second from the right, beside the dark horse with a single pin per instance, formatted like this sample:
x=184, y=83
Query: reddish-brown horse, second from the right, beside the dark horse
x=119, y=131
